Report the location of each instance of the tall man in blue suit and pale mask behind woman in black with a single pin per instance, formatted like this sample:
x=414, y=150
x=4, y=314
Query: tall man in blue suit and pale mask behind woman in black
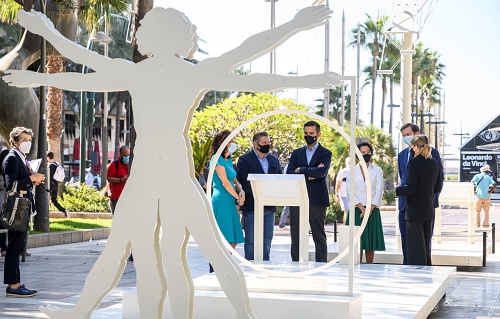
x=408, y=130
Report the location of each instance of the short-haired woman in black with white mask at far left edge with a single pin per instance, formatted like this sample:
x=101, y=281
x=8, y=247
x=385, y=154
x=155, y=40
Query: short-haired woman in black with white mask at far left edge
x=16, y=169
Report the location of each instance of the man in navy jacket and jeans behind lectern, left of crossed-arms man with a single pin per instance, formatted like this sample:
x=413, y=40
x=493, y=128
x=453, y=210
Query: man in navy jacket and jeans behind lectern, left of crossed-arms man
x=257, y=161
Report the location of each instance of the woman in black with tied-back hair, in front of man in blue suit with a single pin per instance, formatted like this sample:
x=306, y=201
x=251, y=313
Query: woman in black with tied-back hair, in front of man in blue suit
x=422, y=183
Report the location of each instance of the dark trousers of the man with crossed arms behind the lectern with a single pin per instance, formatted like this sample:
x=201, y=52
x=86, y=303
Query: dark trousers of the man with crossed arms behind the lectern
x=317, y=217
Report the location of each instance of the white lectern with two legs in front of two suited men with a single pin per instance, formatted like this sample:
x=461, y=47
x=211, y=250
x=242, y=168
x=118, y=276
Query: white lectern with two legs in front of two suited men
x=272, y=190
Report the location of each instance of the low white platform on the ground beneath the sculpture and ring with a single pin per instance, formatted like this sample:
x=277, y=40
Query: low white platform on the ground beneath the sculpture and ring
x=386, y=291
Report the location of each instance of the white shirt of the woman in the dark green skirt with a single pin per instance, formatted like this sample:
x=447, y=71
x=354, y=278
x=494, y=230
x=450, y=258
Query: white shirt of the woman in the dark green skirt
x=377, y=185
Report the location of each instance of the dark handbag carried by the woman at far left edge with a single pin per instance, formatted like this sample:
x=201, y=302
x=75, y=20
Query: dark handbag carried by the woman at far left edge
x=15, y=211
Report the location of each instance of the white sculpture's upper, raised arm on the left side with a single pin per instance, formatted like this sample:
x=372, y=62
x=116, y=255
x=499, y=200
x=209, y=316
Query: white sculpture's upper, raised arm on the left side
x=38, y=23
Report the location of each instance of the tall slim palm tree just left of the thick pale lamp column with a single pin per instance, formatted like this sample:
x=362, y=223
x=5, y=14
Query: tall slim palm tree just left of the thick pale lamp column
x=371, y=35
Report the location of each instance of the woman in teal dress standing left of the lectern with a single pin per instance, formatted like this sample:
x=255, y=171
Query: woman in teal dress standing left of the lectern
x=226, y=192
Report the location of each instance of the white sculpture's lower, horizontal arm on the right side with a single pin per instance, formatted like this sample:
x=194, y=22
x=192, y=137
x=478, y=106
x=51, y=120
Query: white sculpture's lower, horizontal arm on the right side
x=267, y=82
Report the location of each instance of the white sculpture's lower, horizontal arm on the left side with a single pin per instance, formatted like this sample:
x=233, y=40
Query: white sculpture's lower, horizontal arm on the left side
x=70, y=81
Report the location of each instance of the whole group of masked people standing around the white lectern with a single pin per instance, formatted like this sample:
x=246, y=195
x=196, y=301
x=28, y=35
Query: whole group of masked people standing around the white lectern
x=421, y=180
